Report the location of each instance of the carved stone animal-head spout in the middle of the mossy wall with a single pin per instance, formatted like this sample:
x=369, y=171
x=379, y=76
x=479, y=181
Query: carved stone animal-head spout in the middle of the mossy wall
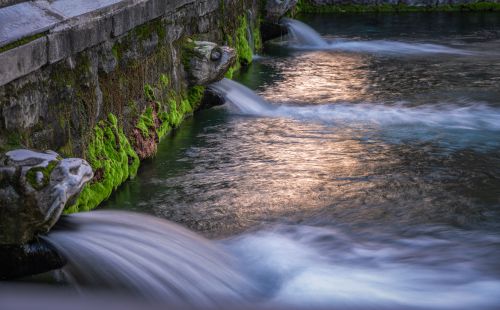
x=207, y=62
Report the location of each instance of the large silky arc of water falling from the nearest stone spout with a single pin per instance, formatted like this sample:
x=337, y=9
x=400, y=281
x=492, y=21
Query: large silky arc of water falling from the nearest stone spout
x=145, y=255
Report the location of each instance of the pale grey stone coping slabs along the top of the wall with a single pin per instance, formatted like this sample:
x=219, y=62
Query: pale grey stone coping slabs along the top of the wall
x=35, y=33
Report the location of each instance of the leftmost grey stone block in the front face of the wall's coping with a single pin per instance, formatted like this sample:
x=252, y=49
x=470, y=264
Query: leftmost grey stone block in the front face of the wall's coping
x=22, y=60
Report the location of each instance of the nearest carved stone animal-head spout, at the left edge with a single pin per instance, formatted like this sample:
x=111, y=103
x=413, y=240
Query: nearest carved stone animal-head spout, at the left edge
x=34, y=189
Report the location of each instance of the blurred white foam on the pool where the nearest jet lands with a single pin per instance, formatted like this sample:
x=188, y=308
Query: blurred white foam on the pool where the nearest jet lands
x=323, y=267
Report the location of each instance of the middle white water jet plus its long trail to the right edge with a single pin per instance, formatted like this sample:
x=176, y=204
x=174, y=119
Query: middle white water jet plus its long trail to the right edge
x=467, y=117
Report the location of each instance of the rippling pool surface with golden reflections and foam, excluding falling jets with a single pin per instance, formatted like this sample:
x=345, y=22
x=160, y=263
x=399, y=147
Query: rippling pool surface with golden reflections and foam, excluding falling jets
x=373, y=179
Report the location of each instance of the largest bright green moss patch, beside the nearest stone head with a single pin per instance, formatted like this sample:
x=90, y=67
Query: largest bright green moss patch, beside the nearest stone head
x=113, y=161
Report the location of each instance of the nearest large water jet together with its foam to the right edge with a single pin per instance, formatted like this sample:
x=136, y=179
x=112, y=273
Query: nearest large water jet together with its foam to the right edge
x=298, y=266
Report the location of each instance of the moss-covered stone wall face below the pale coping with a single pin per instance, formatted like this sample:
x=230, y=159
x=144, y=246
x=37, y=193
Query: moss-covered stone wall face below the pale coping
x=112, y=103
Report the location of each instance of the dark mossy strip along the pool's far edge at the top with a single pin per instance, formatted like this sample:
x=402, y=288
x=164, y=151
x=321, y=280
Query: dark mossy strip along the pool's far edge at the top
x=305, y=6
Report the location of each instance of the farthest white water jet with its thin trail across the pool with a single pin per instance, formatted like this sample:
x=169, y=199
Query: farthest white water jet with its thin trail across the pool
x=305, y=37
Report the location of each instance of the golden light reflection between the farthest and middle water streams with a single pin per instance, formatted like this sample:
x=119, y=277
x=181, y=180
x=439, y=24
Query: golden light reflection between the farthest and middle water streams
x=321, y=77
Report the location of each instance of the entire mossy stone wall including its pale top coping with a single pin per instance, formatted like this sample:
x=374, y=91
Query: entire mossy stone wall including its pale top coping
x=106, y=80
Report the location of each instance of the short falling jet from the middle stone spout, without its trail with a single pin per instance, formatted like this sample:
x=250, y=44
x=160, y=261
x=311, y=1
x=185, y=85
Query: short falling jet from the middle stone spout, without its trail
x=241, y=97
